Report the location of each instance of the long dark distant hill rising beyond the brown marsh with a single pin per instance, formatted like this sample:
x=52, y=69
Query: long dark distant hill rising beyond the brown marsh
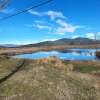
x=64, y=41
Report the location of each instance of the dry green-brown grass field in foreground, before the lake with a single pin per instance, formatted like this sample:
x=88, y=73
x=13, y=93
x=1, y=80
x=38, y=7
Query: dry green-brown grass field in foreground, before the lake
x=49, y=79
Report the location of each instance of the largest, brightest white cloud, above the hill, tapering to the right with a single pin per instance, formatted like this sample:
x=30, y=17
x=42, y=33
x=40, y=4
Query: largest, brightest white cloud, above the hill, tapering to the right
x=66, y=27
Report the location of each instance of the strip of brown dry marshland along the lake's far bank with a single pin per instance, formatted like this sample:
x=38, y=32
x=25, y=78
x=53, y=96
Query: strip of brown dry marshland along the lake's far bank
x=27, y=50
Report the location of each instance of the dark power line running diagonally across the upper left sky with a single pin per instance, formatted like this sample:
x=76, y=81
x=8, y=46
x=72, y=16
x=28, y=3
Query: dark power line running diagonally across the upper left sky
x=26, y=10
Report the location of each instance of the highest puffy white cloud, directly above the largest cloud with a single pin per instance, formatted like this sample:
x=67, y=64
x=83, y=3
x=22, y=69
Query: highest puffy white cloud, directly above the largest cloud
x=54, y=14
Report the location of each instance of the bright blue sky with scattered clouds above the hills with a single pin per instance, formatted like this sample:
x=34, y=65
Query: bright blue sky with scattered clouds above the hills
x=55, y=20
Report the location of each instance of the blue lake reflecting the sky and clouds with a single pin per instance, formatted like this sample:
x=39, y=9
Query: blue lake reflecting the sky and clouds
x=69, y=54
